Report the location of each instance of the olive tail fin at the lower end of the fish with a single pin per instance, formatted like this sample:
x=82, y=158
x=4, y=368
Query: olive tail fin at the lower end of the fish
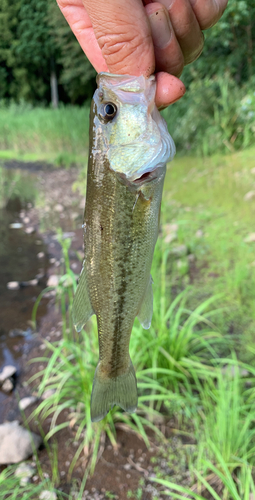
x=106, y=393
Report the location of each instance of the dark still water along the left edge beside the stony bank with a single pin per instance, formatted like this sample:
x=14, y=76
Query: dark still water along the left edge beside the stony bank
x=19, y=262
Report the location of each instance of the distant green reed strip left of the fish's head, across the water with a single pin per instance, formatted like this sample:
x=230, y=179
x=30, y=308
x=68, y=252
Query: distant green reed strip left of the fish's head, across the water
x=56, y=135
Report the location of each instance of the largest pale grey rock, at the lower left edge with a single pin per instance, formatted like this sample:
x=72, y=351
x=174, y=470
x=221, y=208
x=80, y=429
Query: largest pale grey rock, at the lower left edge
x=16, y=443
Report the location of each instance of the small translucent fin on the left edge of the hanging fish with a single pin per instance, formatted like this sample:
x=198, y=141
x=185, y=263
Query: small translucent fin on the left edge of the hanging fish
x=82, y=309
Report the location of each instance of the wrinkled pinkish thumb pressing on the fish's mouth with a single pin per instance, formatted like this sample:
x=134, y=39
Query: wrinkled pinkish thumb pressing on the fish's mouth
x=124, y=36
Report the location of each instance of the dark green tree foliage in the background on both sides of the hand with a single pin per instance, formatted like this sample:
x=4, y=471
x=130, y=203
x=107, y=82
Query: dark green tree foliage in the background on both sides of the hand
x=35, y=40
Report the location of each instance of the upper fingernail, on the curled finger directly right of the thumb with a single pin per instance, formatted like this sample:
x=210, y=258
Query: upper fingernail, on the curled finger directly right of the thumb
x=160, y=28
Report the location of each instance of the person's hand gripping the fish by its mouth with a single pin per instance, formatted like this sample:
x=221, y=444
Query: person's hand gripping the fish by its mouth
x=140, y=37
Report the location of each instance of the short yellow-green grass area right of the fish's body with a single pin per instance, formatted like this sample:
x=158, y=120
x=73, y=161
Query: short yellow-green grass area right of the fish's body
x=205, y=198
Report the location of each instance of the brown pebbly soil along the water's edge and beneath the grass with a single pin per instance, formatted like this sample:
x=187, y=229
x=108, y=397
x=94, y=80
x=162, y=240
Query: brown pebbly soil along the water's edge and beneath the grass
x=119, y=472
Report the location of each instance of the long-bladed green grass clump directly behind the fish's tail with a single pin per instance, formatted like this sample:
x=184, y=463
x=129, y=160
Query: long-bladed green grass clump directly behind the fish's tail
x=167, y=352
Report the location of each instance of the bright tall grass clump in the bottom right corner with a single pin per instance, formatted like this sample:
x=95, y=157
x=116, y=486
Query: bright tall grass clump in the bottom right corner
x=225, y=435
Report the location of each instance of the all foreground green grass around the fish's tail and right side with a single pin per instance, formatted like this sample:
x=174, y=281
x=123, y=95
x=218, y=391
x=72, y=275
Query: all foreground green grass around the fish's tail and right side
x=179, y=370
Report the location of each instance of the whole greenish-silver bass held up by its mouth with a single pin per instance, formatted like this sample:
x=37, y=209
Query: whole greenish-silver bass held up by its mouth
x=129, y=148
